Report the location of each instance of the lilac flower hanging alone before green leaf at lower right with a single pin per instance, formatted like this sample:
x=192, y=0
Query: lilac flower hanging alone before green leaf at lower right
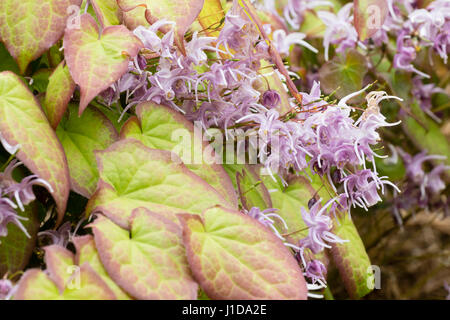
x=319, y=226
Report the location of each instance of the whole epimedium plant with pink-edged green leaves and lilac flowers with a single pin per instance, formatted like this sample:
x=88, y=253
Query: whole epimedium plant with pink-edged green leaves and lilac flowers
x=130, y=108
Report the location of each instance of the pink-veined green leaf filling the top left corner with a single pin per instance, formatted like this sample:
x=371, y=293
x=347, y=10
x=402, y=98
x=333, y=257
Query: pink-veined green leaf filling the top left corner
x=29, y=27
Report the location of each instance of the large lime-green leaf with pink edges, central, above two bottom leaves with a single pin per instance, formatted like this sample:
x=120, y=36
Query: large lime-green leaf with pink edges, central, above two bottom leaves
x=132, y=176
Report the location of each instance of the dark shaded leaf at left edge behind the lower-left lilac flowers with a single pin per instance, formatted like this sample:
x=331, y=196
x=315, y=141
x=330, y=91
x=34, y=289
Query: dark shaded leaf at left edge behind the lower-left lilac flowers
x=16, y=248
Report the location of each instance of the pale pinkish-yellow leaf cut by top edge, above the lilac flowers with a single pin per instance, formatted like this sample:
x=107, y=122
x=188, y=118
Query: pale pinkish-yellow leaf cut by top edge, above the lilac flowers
x=182, y=12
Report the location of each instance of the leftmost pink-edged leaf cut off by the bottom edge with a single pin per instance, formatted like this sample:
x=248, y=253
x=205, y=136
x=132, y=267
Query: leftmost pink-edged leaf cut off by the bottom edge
x=62, y=280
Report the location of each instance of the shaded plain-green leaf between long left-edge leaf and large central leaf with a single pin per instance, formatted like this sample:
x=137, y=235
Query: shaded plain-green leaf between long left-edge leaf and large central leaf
x=80, y=137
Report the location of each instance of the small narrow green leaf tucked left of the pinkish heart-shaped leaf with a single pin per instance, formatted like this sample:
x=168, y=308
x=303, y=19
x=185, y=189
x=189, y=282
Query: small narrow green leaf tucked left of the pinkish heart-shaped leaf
x=59, y=91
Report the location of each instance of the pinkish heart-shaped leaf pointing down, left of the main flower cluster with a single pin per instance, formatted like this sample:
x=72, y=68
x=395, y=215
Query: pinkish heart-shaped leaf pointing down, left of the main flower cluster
x=96, y=61
